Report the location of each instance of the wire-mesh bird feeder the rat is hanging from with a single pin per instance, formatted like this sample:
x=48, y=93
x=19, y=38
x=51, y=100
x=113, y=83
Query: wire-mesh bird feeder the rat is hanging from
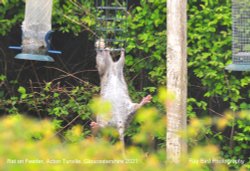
x=111, y=22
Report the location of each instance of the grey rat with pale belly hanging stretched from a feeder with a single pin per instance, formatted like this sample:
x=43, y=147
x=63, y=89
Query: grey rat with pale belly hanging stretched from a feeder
x=114, y=89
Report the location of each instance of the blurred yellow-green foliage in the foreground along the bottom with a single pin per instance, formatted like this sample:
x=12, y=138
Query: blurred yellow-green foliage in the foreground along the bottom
x=28, y=144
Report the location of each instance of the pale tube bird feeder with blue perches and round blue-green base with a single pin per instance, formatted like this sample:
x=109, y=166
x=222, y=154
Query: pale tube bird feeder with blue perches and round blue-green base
x=36, y=29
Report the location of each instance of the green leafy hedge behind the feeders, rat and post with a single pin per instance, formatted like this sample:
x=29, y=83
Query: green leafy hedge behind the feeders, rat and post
x=62, y=91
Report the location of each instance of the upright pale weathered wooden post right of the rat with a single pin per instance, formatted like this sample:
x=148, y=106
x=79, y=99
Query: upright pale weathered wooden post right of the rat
x=176, y=77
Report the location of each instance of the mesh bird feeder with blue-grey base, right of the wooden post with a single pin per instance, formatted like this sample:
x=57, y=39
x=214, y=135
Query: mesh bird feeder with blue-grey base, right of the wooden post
x=241, y=36
